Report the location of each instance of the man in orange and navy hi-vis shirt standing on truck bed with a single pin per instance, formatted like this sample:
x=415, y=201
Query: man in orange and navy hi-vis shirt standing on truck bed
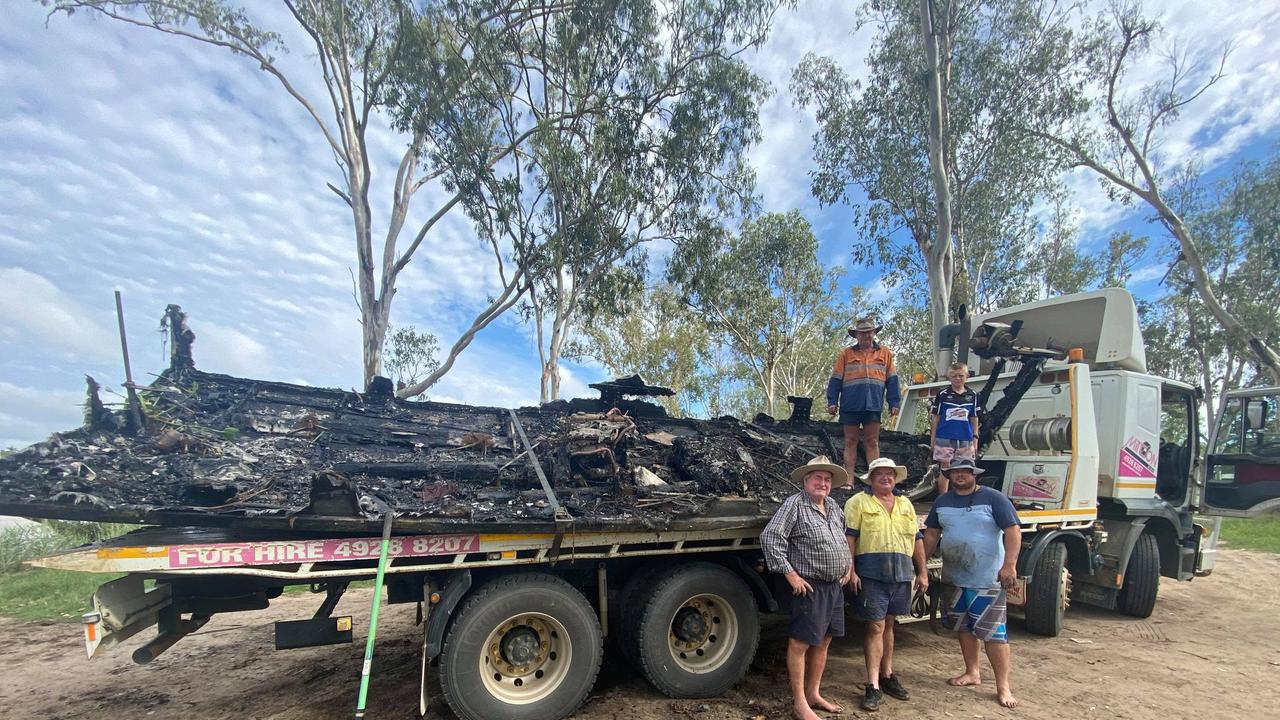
x=858, y=388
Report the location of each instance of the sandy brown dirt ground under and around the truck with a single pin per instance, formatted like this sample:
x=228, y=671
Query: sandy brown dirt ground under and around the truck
x=1212, y=650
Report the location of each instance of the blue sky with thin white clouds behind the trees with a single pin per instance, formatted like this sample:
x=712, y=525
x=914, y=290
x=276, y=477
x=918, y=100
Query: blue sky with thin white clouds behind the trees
x=177, y=174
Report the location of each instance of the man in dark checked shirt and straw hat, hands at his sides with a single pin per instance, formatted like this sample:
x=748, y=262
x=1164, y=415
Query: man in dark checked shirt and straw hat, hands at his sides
x=806, y=543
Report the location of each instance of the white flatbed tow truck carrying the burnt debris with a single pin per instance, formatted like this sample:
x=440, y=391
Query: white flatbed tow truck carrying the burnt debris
x=1101, y=459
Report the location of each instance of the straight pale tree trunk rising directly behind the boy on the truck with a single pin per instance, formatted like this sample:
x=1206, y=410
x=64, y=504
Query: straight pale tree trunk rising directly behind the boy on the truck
x=938, y=257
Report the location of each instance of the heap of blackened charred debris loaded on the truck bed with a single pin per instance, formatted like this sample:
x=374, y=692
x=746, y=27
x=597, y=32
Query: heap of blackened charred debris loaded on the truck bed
x=225, y=452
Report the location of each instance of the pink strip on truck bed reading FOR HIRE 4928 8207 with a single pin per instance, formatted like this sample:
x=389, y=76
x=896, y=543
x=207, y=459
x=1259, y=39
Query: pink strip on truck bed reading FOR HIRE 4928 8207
x=285, y=553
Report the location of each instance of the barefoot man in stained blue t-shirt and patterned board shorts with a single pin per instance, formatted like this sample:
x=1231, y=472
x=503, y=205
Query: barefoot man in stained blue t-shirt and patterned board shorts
x=981, y=536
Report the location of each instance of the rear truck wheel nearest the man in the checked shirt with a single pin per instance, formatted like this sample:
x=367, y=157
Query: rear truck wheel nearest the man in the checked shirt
x=697, y=631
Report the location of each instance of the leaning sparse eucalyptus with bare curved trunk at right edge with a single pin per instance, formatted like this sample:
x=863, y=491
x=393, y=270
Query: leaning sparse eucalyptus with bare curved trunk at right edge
x=1123, y=147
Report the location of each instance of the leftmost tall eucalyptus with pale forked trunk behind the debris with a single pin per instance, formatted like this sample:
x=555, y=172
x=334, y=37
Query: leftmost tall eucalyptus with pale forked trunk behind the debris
x=353, y=49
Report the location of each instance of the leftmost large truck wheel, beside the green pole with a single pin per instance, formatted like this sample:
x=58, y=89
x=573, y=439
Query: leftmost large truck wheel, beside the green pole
x=523, y=648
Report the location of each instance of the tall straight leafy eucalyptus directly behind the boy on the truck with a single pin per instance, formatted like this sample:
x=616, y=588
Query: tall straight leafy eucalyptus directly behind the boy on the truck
x=996, y=67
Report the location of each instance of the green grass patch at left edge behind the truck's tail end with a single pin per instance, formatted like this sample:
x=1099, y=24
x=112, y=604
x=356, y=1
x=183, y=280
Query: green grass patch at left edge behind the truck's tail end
x=40, y=594
